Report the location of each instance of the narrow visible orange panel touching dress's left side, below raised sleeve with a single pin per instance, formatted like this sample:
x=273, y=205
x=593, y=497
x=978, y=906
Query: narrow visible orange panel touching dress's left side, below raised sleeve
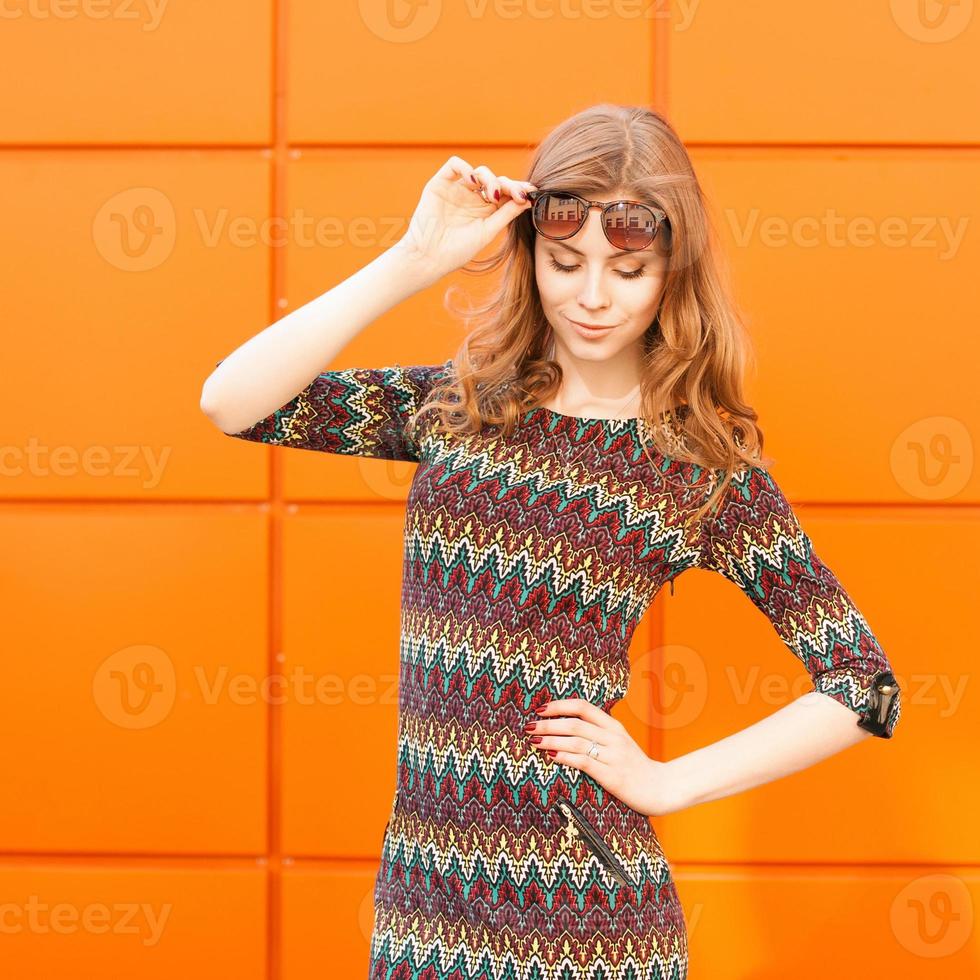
x=342, y=586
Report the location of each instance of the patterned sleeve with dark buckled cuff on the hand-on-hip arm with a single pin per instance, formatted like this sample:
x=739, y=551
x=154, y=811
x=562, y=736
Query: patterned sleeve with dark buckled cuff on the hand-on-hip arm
x=755, y=540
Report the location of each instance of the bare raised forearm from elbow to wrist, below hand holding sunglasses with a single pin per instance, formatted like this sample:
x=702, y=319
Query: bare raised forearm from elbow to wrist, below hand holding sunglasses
x=273, y=366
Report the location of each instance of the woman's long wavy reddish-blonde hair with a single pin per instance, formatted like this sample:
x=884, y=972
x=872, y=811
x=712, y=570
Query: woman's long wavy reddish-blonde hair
x=695, y=352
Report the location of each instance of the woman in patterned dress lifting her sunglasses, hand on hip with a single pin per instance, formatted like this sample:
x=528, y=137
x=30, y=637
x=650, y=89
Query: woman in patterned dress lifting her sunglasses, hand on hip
x=587, y=443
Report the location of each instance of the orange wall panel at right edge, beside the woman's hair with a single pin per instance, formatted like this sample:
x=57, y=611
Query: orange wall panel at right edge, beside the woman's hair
x=854, y=268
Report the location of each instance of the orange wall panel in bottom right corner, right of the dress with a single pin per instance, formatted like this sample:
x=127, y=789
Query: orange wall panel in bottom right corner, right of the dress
x=810, y=923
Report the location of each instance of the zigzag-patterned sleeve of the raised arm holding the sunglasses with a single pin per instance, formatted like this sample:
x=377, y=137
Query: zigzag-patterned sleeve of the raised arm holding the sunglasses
x=353, y=412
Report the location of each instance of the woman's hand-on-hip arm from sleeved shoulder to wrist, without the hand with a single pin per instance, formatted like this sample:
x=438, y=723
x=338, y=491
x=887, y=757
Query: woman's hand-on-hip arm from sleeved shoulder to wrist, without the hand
x=757, y=542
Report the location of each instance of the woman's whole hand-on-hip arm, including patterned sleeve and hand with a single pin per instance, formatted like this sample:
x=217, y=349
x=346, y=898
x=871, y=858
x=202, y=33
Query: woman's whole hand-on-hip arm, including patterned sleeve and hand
x=756, y=541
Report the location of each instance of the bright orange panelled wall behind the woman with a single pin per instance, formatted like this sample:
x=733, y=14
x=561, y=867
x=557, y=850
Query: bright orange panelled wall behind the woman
x=163, y=812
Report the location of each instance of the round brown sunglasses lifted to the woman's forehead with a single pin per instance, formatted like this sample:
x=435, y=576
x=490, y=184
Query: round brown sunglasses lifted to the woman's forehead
x=628, y=225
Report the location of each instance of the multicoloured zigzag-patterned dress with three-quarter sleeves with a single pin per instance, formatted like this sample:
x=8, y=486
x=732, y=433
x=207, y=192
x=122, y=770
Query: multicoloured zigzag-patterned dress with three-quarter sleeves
x=528, y=562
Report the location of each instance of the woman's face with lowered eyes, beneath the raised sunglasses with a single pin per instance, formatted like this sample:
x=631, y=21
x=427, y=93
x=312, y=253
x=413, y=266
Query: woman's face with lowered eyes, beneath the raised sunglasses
x=584, y=279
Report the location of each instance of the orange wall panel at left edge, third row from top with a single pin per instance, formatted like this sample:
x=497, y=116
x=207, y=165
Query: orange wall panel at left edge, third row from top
x=131, y=715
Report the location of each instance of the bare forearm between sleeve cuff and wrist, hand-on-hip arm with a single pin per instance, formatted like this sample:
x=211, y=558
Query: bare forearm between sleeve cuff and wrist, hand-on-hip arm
x=802, y=733
